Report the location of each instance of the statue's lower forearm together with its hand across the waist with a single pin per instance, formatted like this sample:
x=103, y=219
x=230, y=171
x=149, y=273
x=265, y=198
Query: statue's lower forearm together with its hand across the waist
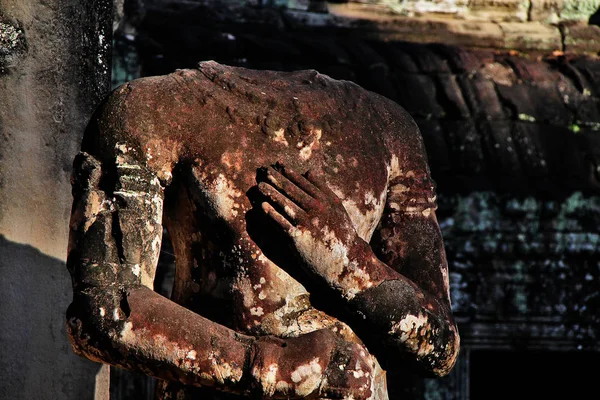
x=162, y=339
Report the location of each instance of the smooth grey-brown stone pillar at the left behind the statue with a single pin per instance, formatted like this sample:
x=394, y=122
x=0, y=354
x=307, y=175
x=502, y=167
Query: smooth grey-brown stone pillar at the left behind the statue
x=54, y=69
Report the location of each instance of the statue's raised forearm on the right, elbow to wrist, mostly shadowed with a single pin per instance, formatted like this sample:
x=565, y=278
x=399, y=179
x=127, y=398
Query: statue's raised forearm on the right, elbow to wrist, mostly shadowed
x=401, y=318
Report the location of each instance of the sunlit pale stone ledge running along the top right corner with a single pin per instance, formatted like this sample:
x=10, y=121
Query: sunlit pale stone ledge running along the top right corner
x=502, y=28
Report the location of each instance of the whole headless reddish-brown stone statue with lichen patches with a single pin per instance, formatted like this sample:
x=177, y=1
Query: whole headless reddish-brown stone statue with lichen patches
x=271, y=185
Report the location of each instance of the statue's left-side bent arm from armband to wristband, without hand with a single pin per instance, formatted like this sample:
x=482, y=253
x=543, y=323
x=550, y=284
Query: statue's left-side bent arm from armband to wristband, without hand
x=115, y=316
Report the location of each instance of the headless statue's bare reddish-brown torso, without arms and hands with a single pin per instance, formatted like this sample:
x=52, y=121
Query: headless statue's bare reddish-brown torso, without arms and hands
x=223, y=124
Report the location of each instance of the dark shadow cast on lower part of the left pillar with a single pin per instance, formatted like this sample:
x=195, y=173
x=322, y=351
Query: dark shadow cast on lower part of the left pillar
x=36, y=359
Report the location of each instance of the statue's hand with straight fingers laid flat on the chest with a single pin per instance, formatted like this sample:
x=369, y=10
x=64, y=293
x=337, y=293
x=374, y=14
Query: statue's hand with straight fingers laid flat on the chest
x=314, y=220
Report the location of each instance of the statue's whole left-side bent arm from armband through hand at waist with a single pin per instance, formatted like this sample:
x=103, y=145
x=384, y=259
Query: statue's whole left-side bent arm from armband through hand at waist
x=116, y=317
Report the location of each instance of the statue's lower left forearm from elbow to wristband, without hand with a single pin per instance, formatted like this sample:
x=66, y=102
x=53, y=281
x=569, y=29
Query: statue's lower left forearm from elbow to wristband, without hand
x=140, y=330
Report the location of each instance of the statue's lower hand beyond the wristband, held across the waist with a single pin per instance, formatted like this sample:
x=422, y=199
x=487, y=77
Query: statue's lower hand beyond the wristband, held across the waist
x=316, y=365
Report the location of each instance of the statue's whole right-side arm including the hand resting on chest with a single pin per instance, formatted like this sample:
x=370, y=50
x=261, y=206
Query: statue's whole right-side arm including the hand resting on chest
x=395, y=287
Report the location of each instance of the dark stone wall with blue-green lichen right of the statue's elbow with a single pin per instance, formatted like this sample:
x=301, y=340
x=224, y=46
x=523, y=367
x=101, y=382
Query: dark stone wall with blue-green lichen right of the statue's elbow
x=522, y=257
